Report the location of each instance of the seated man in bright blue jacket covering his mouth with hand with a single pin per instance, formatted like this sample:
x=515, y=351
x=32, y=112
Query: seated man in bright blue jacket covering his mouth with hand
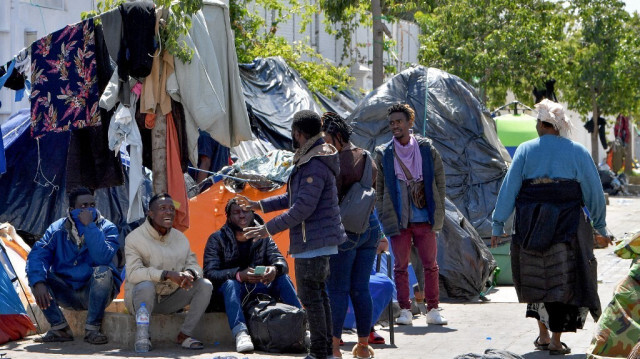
x=72, y=266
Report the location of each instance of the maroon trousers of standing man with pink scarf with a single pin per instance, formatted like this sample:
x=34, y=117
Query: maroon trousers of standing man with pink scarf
x=424, y=239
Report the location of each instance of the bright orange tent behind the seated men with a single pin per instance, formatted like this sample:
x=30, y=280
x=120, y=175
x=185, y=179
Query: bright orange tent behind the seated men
x=206, y=212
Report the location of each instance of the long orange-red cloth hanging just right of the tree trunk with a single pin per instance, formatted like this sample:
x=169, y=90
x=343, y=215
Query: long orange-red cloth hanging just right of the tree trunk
x=175, y=178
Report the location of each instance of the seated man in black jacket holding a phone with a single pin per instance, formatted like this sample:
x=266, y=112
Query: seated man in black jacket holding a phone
x=229, y=262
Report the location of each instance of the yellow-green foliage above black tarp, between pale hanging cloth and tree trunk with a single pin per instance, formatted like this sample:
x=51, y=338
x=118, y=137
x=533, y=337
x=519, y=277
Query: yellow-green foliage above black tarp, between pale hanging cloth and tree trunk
x=255, y=37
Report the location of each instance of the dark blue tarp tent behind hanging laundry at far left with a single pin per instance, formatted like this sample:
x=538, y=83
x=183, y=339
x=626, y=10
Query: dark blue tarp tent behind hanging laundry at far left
x=34, y=185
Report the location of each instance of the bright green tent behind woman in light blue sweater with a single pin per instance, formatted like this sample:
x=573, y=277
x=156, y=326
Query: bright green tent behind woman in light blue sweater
x=514, y=129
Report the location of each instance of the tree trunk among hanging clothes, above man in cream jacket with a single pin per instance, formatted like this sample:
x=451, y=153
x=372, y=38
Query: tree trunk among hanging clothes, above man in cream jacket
x=159, y=153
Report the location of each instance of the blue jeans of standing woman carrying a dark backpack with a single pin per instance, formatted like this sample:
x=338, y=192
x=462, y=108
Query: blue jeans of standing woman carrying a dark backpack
x=350, y=271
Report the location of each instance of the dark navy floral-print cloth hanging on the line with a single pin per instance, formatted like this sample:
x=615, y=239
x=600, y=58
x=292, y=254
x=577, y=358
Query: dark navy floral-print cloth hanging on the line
x=65, y=90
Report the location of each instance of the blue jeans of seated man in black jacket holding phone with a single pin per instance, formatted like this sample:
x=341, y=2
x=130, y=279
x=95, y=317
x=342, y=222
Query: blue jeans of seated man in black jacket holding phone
x=233, y=294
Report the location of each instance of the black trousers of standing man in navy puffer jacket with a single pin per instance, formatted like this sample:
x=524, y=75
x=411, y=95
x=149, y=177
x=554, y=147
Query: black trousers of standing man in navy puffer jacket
x=311, y=277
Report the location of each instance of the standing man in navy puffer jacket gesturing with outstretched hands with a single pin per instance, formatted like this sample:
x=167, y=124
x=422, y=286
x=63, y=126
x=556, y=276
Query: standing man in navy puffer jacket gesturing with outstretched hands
x=314, y=222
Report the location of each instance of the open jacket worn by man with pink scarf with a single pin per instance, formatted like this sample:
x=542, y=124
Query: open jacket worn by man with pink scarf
x=387, y=197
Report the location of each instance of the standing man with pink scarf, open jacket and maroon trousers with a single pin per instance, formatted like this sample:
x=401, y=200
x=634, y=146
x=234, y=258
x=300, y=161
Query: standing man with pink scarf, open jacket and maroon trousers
x=405, y=162
